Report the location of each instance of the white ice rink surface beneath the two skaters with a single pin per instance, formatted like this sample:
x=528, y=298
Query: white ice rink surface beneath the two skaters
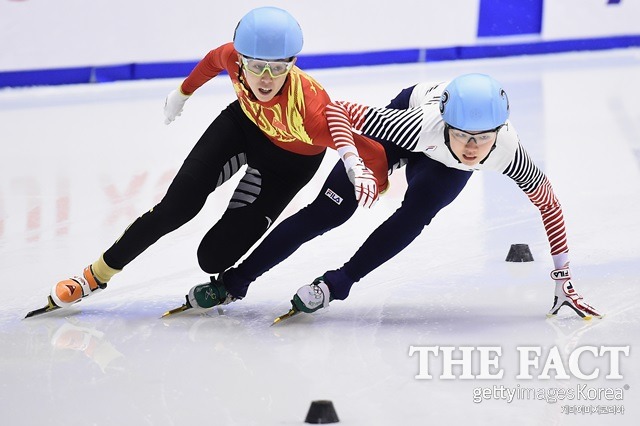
x=79, y=163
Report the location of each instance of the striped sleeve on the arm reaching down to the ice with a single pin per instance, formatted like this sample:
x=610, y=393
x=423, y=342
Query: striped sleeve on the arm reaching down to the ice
x=538, y=188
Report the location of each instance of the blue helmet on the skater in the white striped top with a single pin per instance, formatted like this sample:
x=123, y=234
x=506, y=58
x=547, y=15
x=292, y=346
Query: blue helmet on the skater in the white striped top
x=474, y=102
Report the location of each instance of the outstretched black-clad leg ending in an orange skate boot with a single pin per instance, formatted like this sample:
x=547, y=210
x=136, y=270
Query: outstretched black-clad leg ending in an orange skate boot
x=216, y=156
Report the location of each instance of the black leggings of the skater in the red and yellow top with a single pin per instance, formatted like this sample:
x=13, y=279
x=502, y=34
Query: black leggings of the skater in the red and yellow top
x=272, y=178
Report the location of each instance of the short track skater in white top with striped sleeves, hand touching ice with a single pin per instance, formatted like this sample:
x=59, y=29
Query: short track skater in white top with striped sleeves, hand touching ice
x=442, y=132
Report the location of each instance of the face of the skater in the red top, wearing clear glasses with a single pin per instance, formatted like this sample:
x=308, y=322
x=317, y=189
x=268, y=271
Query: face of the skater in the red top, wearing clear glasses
x=265, y=78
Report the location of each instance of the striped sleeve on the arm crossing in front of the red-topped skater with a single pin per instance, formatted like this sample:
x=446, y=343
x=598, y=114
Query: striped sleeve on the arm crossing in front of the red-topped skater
x=401, y=127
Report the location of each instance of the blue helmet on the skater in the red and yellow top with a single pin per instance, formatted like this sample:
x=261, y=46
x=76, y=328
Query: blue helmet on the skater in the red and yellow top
x=268, y=33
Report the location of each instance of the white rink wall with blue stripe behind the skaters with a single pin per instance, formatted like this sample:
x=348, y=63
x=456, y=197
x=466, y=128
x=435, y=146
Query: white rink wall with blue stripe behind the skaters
x=78, y=41
